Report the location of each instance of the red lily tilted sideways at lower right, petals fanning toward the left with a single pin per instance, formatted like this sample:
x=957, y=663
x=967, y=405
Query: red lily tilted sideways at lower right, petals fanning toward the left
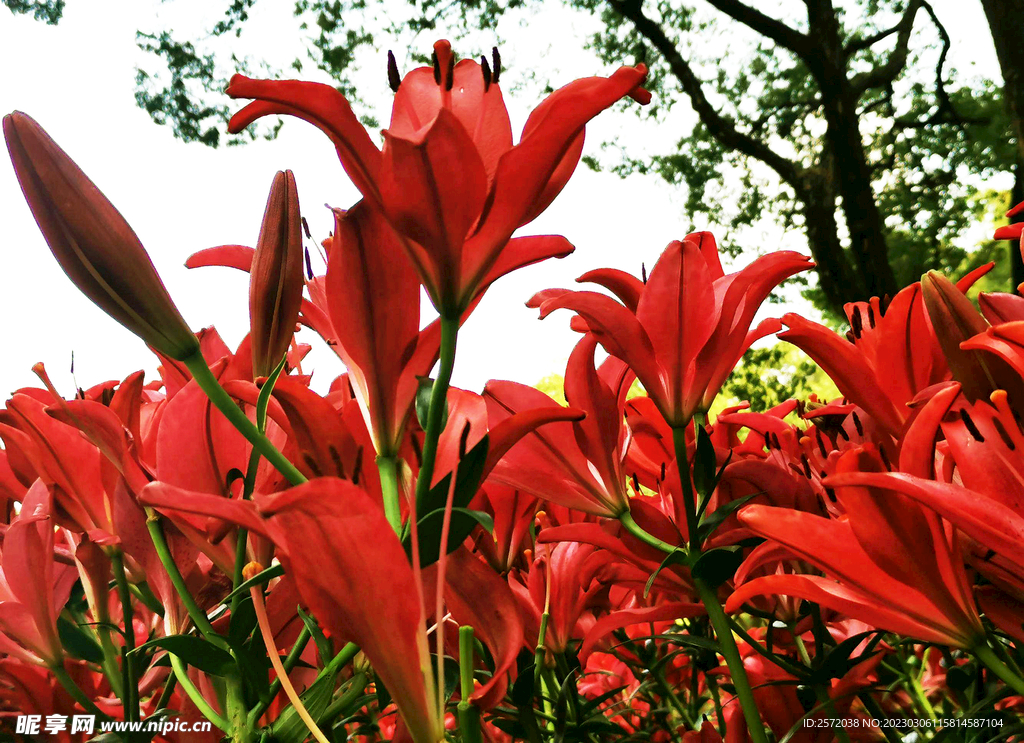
x=895, y=565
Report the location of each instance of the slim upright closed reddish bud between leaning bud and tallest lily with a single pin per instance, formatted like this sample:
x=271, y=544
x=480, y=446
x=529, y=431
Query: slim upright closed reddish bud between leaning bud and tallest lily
x=276, y=284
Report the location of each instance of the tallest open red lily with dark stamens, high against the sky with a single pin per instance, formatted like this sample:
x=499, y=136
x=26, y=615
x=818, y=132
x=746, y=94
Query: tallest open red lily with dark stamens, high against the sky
x=449, y=179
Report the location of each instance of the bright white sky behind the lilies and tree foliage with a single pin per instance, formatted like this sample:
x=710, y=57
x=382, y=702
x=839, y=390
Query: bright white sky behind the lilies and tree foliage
x=77, y=79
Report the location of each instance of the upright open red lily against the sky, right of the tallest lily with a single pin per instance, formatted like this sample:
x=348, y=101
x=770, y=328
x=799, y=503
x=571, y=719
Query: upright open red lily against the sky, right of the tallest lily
x=691, y=325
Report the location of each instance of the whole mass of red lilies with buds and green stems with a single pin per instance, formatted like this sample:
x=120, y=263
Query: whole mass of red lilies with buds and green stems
x=403, y=560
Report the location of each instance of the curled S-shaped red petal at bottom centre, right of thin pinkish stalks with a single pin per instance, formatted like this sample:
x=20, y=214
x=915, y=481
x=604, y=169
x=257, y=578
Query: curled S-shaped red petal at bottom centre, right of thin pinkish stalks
x=478, y=596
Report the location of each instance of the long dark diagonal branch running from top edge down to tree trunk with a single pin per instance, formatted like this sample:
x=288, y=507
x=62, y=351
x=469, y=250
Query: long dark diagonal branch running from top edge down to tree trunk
x=721, y=127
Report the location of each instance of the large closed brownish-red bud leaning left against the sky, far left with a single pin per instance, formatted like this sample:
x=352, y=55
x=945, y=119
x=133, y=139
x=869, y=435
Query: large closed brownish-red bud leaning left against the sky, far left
x=94, y=244
